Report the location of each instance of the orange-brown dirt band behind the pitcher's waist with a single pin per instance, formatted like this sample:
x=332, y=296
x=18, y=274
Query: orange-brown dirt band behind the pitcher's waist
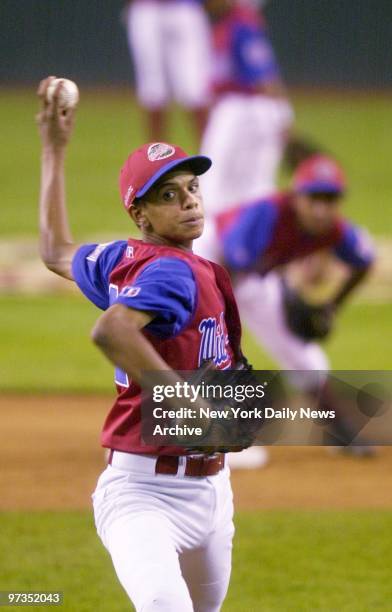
x=50, y=458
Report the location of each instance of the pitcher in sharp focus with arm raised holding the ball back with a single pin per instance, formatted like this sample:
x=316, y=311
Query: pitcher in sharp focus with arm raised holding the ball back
x=164, y=515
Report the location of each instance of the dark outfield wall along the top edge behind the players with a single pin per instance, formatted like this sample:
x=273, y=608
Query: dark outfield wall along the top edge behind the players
x=319, y=42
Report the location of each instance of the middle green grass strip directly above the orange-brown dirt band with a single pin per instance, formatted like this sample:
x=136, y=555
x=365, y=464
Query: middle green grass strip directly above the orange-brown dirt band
x=46, y=344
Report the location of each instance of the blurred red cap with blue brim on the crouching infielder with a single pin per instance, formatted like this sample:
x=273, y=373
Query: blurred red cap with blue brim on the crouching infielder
x=319, y=174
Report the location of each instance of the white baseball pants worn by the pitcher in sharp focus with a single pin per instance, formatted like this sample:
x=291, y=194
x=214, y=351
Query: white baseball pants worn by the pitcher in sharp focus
x=170, y=537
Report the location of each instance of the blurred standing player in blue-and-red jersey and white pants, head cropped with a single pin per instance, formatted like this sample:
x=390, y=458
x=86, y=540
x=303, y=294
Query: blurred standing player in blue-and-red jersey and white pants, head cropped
x=251, y=116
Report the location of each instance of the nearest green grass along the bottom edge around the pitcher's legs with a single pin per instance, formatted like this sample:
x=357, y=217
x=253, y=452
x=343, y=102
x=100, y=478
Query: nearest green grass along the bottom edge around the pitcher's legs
x=277, y=561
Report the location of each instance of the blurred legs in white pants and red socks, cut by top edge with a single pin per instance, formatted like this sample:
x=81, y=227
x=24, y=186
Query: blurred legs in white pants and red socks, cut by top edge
x=169, y=41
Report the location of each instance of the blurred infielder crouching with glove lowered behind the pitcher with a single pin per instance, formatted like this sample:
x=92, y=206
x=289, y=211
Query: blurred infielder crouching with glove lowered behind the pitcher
x=257, y=241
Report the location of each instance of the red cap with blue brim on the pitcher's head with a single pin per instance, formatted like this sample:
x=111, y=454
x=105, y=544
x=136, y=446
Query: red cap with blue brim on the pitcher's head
x=151, y=161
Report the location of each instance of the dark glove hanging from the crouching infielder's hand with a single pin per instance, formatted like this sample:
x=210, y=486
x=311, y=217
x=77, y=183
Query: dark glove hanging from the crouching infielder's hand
x=305, y=320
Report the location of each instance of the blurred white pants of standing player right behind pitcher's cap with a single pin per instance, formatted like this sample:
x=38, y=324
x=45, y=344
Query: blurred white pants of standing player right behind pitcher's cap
x=245, y=138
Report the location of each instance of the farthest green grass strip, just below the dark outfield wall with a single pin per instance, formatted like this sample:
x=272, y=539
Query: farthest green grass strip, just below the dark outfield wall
x=356, y=128
